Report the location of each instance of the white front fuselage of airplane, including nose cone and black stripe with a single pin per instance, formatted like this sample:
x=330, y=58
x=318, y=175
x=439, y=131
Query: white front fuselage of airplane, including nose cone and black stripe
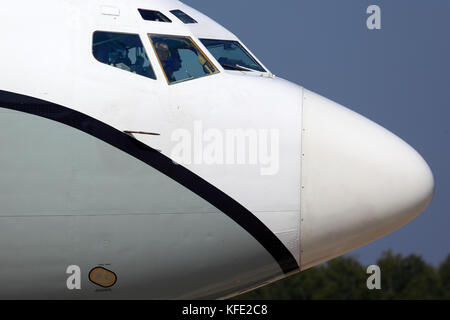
x=77, y=190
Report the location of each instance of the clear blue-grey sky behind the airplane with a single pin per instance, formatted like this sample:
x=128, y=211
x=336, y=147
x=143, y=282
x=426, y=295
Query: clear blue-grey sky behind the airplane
x=398, y=76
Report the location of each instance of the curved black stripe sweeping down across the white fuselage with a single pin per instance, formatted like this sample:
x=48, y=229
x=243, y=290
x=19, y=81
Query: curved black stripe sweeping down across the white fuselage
x=157, y=160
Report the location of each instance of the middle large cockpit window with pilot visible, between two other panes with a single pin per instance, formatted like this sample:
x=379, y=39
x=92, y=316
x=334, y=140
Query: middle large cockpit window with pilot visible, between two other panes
x=180, y=58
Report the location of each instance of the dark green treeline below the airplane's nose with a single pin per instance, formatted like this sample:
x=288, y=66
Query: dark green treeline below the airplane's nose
x=407, y=277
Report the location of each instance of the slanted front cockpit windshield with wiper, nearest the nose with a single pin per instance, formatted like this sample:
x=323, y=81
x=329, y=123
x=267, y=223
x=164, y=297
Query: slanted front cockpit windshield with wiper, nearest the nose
x=232, y=55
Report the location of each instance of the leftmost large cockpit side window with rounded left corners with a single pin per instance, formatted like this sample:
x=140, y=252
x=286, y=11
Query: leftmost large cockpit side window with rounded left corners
x=123, y=51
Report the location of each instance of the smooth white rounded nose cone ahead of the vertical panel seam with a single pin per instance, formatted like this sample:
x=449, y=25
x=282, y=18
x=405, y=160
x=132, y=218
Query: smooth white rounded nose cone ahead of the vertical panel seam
x=359, y=181
